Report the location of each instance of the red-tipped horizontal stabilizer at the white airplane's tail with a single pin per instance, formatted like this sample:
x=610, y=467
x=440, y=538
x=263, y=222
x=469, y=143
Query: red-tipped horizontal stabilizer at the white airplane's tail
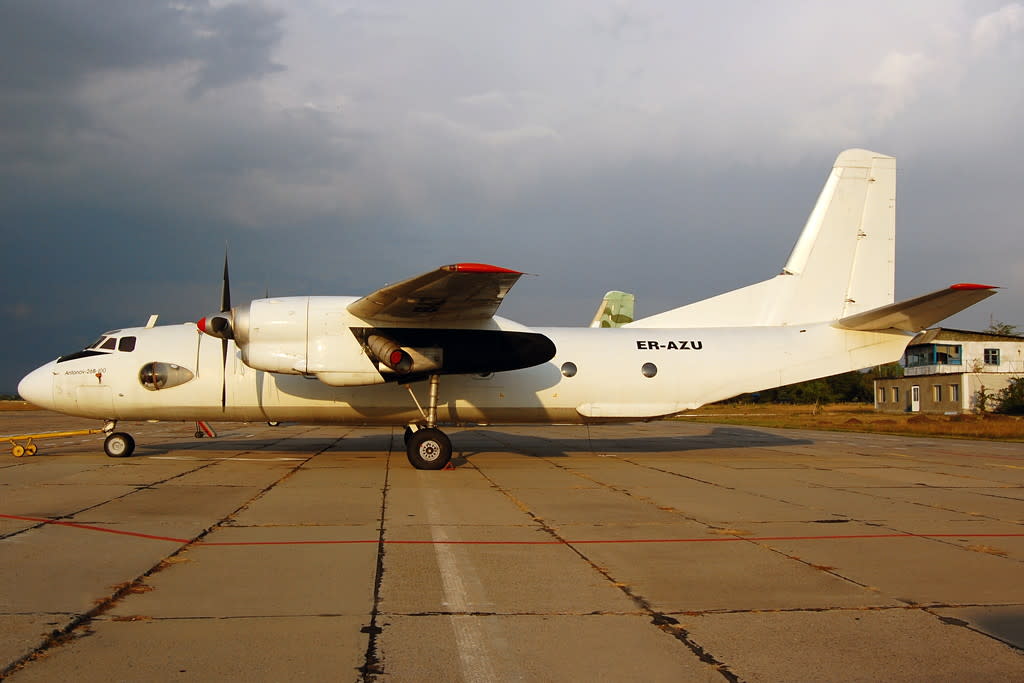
x=921, y=313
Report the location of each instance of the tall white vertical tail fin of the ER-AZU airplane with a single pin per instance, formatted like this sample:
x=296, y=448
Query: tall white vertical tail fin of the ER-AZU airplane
x=843, y=264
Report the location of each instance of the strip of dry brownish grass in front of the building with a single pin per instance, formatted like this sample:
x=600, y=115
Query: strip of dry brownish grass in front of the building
x=864, y=418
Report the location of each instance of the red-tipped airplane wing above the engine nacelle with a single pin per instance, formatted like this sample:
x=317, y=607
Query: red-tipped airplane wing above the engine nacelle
x=457, y=292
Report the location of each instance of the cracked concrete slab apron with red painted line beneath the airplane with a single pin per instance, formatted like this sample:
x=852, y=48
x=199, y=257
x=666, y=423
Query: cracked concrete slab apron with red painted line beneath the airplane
x=663, y=551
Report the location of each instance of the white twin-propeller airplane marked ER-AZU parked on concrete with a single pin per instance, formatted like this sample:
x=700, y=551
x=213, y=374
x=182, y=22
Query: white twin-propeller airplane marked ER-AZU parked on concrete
x=379, y=360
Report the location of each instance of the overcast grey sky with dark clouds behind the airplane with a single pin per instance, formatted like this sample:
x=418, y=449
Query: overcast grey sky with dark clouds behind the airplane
x=669, y=149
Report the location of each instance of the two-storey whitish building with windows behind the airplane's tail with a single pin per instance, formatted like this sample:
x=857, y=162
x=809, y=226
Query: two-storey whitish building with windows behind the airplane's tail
x=947, y=371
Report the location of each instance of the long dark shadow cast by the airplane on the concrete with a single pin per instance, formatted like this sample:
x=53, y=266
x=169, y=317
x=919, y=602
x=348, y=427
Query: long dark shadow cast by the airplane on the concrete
x=482, y=442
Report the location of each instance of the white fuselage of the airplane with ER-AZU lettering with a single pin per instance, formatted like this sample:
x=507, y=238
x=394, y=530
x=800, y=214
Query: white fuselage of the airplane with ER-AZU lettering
x=596, y=375
